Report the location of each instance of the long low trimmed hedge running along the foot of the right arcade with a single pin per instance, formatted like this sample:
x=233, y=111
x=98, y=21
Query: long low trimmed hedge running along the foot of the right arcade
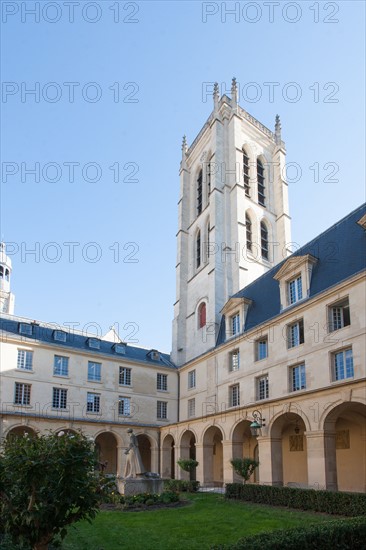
x=343, y=504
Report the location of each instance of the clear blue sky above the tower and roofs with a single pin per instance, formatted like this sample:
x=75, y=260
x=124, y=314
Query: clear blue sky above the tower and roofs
x=168, y=53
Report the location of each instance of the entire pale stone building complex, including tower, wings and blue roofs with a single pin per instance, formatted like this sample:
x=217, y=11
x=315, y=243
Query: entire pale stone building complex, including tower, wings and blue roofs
x=259, y=336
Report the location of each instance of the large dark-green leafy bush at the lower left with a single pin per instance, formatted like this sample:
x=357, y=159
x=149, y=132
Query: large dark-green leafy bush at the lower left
x=47, y=483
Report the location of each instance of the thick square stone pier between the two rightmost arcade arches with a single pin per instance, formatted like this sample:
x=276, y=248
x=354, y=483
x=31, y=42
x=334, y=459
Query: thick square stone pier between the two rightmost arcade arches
x=321, y=457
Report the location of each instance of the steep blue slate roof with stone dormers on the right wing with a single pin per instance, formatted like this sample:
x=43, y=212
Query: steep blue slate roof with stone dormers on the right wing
x=341, y=253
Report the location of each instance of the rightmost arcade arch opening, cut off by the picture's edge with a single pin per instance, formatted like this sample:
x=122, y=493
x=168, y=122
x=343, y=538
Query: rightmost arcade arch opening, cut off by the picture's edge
x=345, y=441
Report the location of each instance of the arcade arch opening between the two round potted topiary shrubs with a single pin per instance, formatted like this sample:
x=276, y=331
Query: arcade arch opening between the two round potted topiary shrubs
x=213, y=464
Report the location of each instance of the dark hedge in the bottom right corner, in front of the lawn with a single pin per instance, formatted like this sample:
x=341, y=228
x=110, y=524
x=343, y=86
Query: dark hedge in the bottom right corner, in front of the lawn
x=346, y=534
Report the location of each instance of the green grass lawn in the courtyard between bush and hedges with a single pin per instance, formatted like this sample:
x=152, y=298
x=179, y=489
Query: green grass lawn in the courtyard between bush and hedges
x=209, y=519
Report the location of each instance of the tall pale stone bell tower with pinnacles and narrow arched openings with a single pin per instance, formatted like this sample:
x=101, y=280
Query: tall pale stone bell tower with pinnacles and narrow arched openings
x=233, y=220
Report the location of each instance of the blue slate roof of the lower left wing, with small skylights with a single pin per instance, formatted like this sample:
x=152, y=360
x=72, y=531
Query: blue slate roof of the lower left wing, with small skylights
x=79, y=342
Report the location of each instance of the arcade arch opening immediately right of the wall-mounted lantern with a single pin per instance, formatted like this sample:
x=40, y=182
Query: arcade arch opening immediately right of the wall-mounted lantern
x=288, y=450
